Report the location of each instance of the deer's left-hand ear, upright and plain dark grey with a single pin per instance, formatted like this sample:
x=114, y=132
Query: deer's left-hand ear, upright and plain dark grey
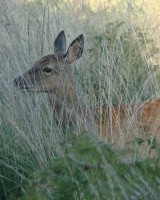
x=60, y=44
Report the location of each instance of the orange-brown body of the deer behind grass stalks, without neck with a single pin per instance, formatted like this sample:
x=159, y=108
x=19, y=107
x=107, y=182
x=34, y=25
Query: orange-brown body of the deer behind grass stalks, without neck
x=145, y=116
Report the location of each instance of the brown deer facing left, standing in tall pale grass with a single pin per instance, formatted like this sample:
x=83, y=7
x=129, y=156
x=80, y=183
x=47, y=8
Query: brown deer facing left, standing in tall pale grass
x=53, y=74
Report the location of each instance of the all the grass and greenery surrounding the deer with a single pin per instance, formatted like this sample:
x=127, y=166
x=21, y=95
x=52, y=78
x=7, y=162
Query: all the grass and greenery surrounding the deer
x=120, y=64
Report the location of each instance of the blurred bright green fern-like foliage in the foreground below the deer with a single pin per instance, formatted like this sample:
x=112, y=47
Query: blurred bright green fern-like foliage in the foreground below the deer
x=93, y=171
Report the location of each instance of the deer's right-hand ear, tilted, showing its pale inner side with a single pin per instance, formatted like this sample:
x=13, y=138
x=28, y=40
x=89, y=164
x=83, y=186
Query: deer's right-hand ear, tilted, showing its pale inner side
x=75, y=49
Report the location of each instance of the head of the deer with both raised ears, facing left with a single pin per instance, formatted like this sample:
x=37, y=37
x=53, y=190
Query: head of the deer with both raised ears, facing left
x=52, y=72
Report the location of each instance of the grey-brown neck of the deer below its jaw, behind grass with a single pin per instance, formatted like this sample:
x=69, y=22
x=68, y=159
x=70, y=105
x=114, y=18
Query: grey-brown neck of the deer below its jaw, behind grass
x=66, y=104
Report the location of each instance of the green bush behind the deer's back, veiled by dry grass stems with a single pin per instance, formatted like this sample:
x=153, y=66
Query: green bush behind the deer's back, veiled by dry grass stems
x=119, y=69
